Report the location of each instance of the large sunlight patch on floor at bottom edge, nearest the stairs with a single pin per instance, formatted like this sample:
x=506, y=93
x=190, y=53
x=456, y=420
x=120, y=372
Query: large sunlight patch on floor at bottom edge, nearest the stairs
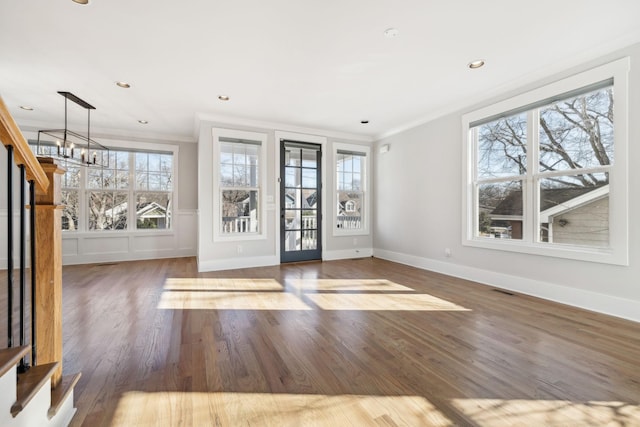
x=266, y=409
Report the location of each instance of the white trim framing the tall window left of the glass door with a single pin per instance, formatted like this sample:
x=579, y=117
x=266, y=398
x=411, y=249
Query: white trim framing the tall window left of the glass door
x=218, y=235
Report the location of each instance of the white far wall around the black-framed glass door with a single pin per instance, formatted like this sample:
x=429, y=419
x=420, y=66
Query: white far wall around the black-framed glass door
x=217, y=255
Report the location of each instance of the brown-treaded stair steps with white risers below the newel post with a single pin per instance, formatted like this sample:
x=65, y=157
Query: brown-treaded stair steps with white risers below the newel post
x=30, y=401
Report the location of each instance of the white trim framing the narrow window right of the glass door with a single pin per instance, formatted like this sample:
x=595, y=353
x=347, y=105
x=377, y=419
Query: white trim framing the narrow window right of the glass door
x=366, y=185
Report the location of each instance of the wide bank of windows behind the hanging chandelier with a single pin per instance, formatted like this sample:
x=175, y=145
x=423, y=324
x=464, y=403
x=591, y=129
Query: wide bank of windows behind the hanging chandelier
x=98, y=199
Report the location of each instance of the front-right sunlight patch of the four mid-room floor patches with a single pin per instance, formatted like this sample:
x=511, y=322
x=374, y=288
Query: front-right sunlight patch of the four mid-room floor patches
x=383, y=302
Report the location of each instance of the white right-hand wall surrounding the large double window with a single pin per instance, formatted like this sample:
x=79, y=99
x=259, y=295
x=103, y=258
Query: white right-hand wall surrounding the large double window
x=421, y=176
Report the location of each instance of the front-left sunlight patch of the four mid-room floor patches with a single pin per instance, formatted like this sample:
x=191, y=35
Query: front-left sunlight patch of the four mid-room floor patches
x=223, y=300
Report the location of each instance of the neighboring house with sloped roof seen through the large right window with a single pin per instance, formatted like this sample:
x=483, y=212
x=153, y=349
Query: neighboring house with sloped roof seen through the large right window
x=578, y=216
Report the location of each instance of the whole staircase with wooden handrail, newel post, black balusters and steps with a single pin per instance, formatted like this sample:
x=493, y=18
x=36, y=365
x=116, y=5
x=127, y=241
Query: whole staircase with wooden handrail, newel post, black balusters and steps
x=37, y=395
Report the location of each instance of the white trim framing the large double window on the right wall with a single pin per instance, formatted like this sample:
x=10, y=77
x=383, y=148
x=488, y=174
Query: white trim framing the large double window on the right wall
x=618, y=251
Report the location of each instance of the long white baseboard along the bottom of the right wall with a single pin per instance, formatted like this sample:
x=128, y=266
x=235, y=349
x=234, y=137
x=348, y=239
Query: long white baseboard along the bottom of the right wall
x=593, y=301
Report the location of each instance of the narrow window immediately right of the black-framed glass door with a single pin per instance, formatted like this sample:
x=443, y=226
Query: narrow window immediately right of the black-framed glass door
x=351, y=163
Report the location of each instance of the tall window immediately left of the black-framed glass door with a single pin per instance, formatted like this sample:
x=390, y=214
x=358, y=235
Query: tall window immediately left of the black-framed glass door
x=239, y=182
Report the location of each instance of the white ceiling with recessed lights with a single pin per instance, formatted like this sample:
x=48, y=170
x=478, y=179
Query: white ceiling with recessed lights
x=315, y=64
